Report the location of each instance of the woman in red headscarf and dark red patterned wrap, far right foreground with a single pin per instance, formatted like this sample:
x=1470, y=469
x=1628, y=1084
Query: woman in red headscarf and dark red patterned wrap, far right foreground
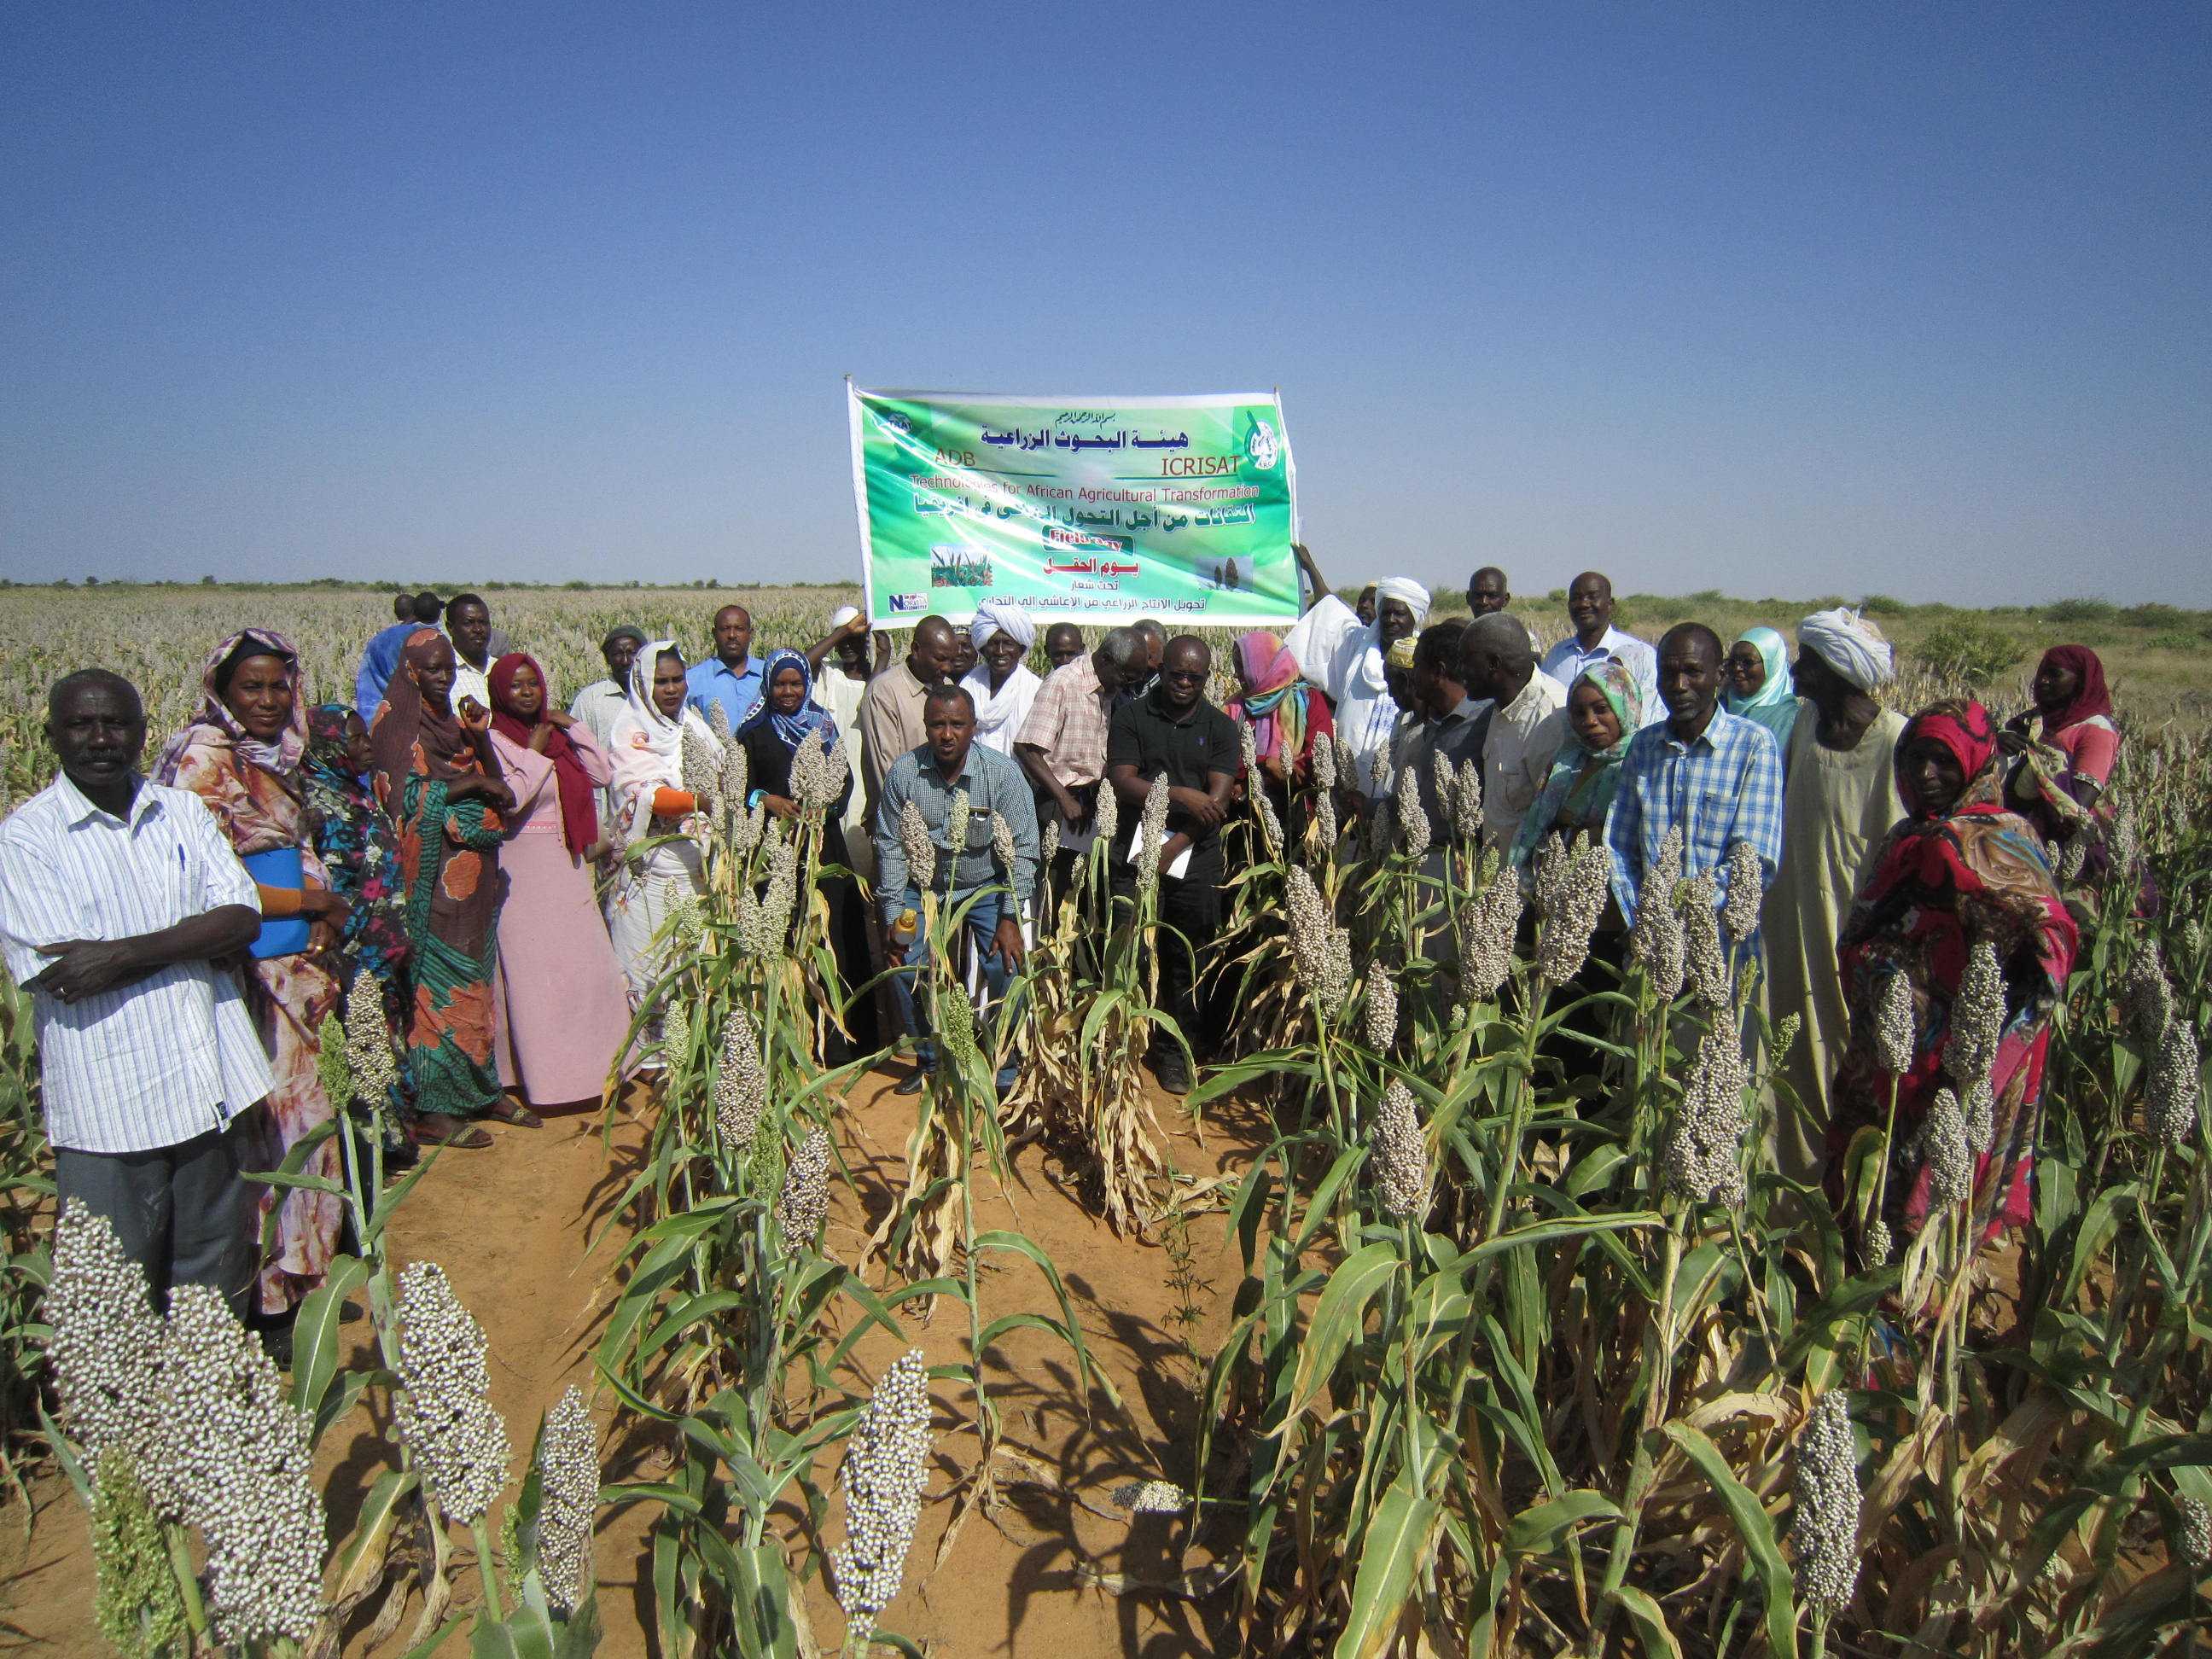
x=1959, y=870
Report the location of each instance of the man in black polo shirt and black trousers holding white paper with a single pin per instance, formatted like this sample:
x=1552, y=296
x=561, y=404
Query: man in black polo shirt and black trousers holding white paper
x=1178, y=735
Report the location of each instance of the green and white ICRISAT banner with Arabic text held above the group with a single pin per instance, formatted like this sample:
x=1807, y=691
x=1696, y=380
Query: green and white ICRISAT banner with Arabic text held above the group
x=1081, y=510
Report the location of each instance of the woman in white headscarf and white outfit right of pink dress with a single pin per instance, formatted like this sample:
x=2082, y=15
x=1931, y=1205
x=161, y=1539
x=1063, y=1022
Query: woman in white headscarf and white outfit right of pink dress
x=654, y=802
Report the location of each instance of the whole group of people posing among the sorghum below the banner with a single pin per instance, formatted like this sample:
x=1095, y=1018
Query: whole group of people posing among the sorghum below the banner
x=501, y=875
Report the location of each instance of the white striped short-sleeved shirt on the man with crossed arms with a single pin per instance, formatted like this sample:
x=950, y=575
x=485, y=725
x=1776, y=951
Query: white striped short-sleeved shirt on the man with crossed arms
x=165, y=1058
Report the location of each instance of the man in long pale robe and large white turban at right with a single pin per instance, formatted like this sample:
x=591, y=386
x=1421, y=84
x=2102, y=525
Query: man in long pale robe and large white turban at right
x=1839, y=802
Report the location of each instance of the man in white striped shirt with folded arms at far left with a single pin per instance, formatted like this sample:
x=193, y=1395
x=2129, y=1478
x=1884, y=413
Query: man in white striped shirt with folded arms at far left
x=118, y=897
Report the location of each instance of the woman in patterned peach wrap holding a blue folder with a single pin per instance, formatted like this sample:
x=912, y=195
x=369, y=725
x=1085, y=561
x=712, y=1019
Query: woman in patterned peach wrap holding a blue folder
x=242, y=755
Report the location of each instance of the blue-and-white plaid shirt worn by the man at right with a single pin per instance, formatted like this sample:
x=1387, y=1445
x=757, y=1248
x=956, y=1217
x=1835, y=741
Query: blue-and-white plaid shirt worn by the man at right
x=1722, y=786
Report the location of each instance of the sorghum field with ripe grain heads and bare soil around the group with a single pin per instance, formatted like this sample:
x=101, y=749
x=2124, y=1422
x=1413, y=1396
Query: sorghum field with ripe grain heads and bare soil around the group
x=1434, y=1322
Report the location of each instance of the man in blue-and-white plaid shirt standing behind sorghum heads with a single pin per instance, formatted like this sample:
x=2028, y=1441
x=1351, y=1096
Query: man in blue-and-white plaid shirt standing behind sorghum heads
x=1707, y=771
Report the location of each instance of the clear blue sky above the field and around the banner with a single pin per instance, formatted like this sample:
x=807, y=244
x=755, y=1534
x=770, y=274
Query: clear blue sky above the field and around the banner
x=1775, y=300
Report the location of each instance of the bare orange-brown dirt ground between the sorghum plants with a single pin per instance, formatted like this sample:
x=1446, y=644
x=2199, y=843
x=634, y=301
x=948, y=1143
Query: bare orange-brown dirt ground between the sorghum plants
x=512, y=1224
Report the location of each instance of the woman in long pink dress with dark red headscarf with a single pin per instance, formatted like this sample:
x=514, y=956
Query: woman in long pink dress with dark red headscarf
x=563, y=1012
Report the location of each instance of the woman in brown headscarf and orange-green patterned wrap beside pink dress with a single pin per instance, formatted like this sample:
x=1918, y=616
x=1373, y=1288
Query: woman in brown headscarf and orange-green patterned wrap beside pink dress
x=439, y=784
